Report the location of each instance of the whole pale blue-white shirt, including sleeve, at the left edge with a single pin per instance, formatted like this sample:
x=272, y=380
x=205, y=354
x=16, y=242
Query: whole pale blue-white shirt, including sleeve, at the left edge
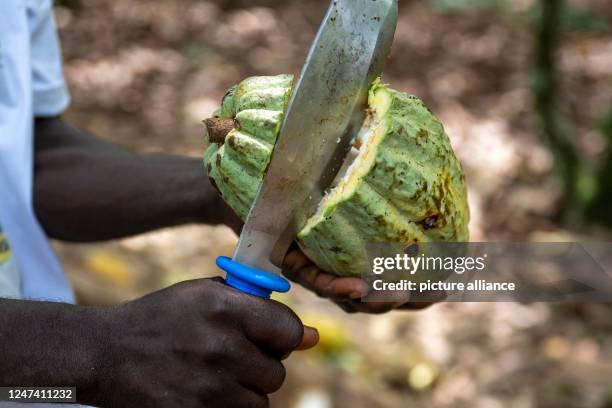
x=31, y=83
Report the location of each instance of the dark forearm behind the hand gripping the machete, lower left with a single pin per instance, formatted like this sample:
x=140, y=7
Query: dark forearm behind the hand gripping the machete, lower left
x=48, y=344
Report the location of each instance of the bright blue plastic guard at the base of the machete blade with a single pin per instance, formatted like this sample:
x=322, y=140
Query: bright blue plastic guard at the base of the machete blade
x=251, y=280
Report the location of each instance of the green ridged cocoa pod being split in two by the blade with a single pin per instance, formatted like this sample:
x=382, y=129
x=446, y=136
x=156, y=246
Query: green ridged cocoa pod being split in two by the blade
x=404, y=184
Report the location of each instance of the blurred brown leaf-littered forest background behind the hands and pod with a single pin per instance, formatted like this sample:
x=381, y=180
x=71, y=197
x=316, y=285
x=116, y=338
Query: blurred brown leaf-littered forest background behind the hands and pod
x=524, y=89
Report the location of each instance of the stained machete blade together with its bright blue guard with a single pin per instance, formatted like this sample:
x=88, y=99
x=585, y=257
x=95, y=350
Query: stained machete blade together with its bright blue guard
x=326, y=109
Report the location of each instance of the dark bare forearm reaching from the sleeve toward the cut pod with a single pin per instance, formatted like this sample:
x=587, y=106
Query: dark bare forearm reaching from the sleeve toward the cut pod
x=86, y=189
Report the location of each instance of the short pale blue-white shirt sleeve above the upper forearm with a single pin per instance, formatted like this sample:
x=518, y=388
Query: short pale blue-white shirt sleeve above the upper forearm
x=50, y=95
